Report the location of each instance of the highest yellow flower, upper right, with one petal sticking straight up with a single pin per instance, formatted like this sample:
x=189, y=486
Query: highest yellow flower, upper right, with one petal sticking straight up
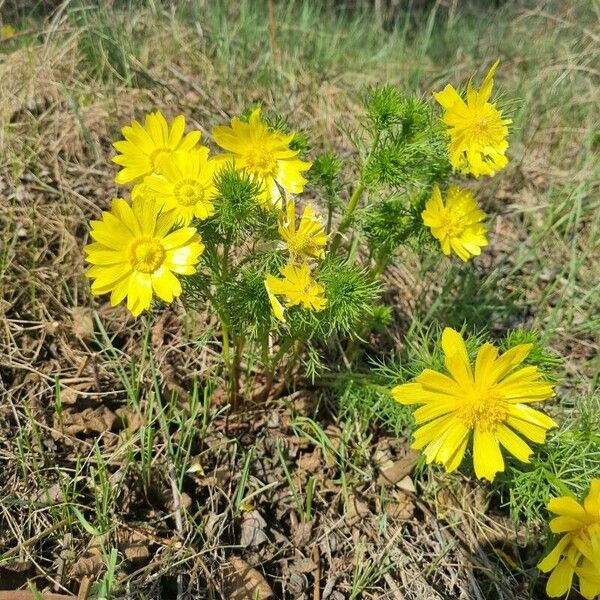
x=476, y=128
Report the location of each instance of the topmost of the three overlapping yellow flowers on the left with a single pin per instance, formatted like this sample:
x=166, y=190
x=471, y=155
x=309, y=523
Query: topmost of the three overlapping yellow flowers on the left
x=144, y=147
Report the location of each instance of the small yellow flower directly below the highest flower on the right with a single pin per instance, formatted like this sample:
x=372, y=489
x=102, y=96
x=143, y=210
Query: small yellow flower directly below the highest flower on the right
x=456, y=224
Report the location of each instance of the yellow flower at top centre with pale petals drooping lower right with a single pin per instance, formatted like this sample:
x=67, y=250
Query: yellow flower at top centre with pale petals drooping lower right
x=265, y=154
